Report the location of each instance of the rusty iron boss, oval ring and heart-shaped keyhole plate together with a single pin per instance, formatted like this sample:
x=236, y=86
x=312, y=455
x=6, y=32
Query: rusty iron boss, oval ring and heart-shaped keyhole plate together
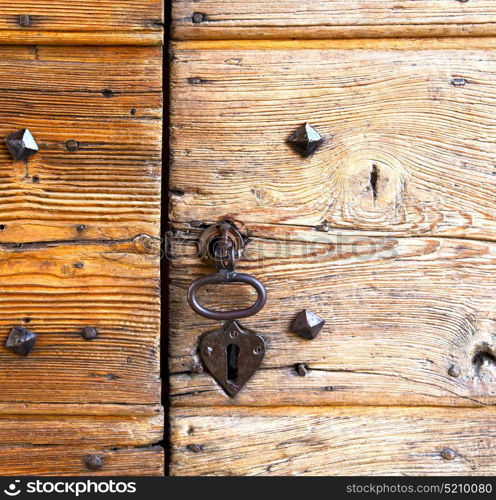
x=231, y=353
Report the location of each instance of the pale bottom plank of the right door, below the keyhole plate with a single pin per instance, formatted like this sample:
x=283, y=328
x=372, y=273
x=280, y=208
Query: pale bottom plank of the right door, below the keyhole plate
x=332, y=441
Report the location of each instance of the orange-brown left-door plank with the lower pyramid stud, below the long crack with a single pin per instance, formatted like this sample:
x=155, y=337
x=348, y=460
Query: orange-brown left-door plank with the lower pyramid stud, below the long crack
x=55, y=291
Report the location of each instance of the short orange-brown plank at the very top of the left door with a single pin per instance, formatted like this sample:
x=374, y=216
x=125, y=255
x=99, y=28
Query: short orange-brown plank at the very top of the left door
x=107, y=22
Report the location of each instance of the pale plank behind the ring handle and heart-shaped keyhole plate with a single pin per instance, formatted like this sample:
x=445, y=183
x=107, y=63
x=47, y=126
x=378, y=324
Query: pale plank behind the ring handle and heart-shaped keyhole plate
x=399, y=313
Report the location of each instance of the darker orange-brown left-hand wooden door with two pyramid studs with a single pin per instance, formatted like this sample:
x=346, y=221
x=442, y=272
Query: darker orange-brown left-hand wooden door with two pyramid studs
x=79, y=237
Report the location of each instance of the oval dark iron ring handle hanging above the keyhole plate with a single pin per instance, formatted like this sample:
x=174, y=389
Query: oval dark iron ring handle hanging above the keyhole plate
x=227, y=277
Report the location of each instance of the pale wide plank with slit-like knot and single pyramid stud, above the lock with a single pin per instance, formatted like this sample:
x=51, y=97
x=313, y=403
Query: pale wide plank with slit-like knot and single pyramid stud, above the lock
x=423, y=119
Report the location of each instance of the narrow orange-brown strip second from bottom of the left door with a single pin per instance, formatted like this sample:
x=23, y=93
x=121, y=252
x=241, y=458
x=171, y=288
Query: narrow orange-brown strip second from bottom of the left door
x=101, y=431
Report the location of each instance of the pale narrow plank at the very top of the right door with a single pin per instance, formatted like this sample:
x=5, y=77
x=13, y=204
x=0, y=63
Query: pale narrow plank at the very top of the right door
x=224, y=19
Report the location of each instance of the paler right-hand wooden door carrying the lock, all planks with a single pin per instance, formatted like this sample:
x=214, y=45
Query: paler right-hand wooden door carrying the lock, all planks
x=387, y=232
